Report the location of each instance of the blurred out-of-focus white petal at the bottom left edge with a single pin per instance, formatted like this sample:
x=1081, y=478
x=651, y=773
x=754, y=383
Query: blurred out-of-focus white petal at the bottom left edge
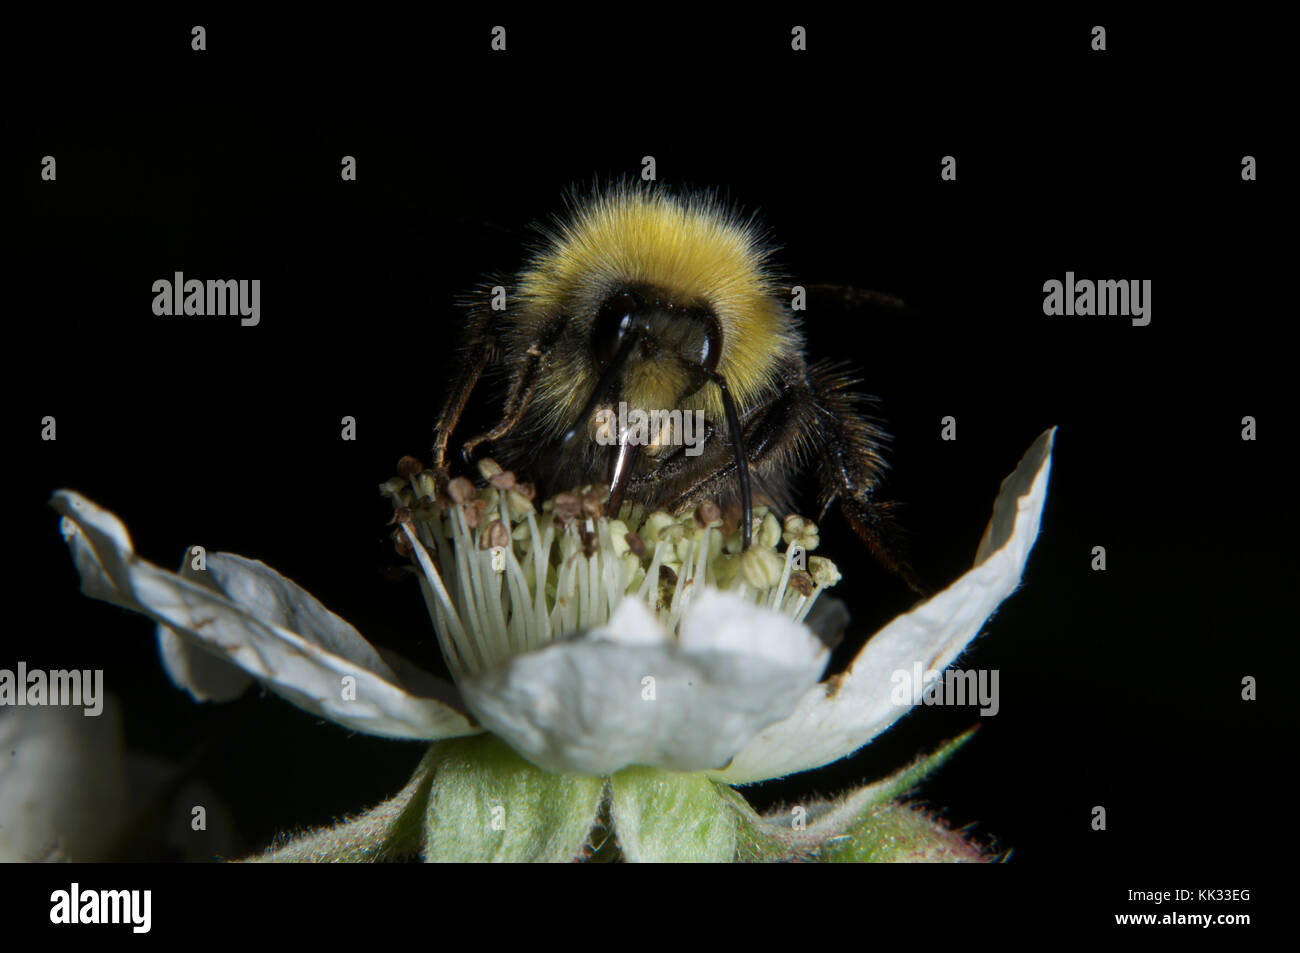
x=63, y=783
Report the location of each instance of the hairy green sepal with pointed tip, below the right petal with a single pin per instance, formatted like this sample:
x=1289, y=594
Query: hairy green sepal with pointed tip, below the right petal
x=865, y=825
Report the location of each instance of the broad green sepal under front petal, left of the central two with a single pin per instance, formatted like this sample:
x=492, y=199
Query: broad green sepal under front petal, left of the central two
x=489, y=805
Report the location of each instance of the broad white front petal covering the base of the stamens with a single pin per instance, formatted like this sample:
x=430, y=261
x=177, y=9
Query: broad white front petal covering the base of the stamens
x=586, y=705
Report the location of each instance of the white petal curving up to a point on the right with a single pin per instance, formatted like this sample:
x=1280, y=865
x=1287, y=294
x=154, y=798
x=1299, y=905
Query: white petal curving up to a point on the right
x=835, y=720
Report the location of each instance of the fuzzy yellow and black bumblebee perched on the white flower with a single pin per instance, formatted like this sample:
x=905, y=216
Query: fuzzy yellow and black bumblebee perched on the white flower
x=644, y=301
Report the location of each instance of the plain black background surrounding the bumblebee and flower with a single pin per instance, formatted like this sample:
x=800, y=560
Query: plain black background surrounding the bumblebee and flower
x=1119, y=688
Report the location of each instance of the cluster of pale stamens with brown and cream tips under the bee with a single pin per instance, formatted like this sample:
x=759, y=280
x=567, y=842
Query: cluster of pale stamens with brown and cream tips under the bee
x=499, y=586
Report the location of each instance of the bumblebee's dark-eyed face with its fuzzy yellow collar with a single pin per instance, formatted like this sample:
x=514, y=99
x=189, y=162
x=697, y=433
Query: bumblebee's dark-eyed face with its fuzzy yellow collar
x=661, y=296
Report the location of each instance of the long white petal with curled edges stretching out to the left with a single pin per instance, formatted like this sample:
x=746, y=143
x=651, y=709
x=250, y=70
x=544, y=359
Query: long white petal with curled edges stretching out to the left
x=306, y=668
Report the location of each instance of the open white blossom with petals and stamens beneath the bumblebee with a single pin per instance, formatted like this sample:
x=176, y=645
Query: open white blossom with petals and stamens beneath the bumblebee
x=590, y=651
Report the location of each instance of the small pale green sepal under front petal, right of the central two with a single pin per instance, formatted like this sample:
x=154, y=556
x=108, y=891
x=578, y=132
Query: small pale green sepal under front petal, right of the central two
x=665, y=817
